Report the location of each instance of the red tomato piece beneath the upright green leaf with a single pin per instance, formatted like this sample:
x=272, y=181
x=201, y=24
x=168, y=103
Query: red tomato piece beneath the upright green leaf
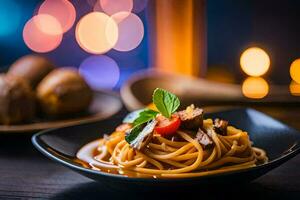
x=167, y=126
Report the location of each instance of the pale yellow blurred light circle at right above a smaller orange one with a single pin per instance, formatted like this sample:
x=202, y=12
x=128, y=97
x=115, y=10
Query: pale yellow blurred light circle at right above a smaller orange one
x=255, y=61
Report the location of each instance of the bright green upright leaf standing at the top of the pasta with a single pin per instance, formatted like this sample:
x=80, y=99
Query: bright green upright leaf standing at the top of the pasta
x=166, y=102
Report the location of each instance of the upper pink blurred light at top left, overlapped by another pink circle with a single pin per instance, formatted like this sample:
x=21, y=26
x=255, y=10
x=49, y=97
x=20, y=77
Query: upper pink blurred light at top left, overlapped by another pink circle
x=62, y=10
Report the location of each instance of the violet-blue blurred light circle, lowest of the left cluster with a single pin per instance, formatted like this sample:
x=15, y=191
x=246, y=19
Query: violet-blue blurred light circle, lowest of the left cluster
x=100, y=71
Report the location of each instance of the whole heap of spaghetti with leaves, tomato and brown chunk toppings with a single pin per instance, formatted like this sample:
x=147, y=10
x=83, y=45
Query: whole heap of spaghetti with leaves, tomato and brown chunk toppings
x=161, y=142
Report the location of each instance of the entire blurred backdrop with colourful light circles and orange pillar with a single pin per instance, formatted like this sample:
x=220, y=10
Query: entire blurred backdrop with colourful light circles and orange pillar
x=217, y=39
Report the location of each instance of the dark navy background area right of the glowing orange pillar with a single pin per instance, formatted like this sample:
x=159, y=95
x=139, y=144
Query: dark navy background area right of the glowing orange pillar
x=272, y=25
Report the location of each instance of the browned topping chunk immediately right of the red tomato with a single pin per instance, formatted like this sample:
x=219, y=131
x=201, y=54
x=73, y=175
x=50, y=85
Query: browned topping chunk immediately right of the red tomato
x=191, y=118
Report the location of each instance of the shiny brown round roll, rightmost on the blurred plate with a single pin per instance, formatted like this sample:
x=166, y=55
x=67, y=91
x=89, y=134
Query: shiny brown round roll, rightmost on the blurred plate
x=63, y=91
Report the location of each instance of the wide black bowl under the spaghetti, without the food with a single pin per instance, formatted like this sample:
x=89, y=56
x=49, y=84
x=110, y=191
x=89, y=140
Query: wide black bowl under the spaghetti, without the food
x=280, y=142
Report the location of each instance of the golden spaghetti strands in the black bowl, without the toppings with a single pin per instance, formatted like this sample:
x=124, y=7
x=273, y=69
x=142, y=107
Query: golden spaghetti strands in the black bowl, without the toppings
x=176, y=157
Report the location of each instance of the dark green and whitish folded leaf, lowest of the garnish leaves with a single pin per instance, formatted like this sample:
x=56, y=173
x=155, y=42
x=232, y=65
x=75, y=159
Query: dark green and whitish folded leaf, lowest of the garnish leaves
x=137, y=134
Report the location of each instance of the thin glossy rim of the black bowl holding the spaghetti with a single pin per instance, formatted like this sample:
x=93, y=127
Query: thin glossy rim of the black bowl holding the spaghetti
x=294, y=150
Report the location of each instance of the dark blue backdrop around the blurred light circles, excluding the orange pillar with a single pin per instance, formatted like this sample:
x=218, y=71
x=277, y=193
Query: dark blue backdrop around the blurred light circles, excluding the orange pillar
x=232, y=26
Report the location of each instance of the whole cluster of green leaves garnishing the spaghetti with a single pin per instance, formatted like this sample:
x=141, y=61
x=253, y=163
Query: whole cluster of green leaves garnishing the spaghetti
x=144, y=120
